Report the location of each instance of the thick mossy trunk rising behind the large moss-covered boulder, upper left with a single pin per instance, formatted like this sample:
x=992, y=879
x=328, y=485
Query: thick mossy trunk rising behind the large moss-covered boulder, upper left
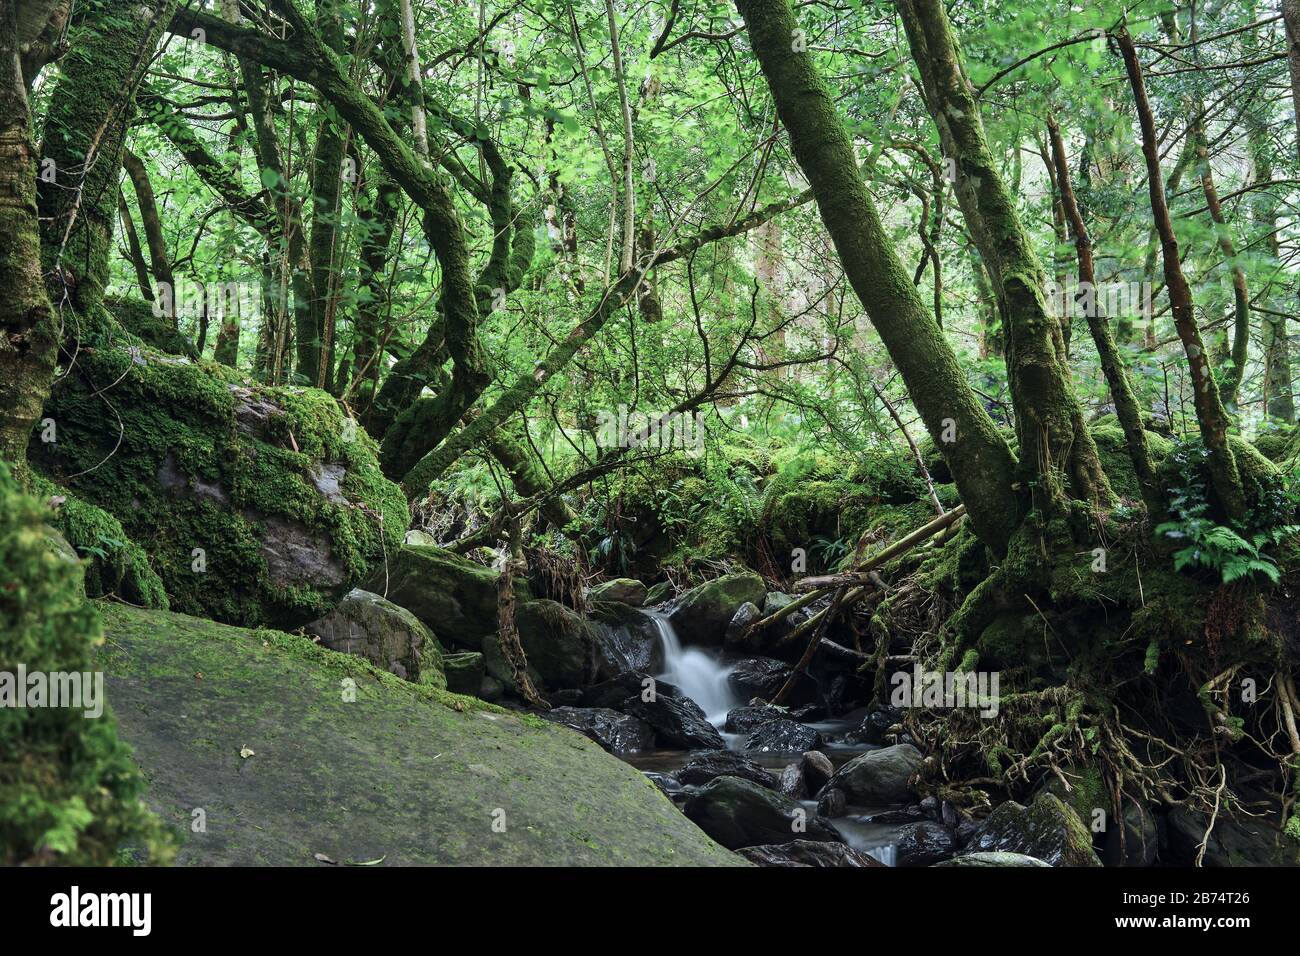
x=86, y=124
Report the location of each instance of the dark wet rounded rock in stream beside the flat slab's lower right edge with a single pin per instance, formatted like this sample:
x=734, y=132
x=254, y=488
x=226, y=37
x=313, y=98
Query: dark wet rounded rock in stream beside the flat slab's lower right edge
x=740, y=814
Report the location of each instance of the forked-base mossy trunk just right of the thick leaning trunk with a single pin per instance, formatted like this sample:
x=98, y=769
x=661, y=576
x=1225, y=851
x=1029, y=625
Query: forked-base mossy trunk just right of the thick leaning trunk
x=1054, y=439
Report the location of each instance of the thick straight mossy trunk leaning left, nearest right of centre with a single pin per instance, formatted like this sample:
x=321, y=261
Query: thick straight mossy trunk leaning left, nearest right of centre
x=980, y=458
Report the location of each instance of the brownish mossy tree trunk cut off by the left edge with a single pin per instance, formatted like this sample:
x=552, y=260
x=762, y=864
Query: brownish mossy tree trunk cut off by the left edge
x=28, y=328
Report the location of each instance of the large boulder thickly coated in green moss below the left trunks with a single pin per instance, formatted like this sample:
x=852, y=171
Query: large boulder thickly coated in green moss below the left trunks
x=255, y=505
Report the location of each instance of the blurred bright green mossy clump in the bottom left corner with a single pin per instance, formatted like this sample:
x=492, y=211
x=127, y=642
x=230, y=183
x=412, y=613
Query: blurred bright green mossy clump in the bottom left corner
x=70, y=791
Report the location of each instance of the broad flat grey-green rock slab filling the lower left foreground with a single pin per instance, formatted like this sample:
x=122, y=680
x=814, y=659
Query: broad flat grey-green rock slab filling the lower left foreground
x=293, y=750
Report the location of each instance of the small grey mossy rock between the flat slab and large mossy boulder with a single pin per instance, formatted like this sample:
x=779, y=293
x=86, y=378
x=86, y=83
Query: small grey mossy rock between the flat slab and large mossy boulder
x=385, y=635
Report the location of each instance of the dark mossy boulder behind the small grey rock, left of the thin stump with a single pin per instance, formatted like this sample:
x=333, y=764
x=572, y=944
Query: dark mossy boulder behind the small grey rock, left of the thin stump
x=456, y=598
